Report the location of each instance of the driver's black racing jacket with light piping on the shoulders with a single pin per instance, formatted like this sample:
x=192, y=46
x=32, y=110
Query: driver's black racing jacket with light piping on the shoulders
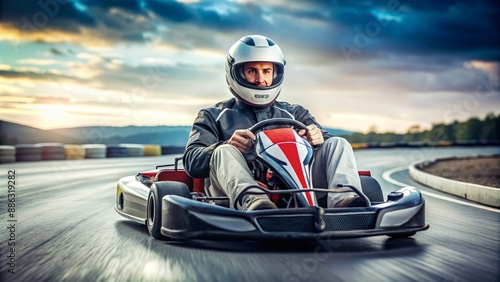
x=215, y=125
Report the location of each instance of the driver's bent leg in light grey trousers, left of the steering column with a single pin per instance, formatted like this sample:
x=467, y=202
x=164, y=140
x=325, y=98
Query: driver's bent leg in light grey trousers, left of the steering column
x=229, y=174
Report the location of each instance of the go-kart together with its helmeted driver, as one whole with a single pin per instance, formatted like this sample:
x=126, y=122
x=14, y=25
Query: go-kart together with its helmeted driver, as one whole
x=260, y=169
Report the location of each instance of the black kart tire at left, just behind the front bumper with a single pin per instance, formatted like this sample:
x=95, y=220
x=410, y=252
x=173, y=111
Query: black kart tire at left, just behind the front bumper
x=156, y=194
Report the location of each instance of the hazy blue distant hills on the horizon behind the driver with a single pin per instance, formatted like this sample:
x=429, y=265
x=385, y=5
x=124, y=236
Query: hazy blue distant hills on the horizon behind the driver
x=12, y=134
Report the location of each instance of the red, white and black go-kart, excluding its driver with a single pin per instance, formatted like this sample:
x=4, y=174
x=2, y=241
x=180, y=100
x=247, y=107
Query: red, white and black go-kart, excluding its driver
x=175, y=206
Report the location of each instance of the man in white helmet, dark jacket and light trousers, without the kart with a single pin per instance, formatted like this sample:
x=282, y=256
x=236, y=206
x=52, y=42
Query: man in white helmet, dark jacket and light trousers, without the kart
x=220, y=143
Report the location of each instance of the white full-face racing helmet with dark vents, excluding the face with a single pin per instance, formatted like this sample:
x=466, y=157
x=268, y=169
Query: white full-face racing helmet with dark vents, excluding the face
x=254, y=48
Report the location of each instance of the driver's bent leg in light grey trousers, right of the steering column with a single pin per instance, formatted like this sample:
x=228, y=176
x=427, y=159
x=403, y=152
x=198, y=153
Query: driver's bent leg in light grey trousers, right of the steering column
x=334, y=163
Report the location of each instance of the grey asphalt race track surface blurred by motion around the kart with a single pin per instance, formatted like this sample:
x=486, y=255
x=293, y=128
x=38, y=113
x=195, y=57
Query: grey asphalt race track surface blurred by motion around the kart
x=65, y=229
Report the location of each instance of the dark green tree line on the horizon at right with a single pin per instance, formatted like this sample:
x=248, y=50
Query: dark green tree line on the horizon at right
x=473, y=129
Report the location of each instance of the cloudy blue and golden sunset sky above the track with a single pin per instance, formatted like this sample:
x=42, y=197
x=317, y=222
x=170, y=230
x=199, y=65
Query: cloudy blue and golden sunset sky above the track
x=354, y=64
